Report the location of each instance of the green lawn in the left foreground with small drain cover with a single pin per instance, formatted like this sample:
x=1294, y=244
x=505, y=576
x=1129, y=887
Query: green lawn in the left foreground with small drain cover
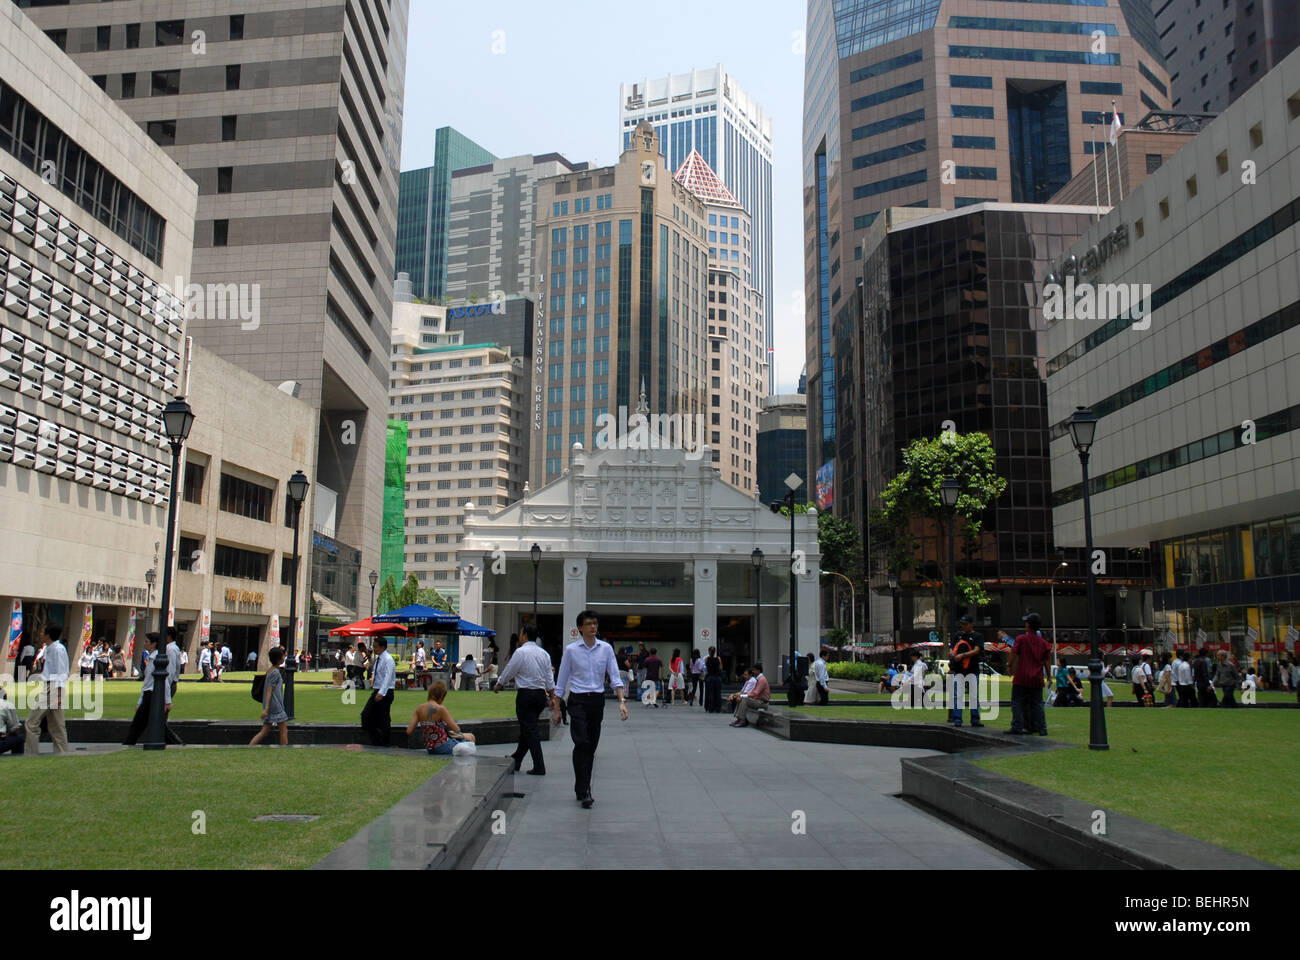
x=231, y=788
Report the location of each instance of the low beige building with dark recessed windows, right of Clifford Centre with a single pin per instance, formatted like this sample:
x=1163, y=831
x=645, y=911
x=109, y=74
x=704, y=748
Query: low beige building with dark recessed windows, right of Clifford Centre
x=236, y=546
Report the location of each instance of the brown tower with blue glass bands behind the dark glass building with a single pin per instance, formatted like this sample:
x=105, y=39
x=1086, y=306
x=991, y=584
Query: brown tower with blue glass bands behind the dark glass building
x=941, y=105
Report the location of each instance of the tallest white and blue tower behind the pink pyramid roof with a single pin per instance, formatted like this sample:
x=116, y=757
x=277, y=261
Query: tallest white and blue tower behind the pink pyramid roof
x=707, y=111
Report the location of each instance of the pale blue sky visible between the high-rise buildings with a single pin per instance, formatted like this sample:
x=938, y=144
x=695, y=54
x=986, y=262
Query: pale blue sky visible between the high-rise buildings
x=526, y=77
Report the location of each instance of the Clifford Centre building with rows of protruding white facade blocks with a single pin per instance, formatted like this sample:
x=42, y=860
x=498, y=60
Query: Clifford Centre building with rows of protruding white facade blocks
x=96, y=224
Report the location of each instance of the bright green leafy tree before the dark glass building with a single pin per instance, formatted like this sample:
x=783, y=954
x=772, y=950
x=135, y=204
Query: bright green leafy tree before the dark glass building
x=913, y=498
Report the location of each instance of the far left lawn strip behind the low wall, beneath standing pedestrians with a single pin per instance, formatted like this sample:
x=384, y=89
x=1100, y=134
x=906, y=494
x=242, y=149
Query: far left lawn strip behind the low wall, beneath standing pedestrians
x=311, y=703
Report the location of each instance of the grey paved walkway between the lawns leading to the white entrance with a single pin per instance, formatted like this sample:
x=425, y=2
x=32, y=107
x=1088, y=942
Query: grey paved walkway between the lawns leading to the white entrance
x=678, y=789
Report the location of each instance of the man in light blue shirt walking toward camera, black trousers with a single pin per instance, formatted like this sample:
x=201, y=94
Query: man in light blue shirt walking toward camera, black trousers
x=584, y=669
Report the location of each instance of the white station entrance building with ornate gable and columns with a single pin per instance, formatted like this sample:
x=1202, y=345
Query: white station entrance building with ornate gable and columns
x=658, y=547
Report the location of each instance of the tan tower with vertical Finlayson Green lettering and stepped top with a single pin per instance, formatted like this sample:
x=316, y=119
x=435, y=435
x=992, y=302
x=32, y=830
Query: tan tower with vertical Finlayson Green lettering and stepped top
x=625, y=256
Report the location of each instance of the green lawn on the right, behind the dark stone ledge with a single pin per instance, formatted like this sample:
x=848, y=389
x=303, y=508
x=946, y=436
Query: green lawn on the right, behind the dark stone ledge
x=1227, y=777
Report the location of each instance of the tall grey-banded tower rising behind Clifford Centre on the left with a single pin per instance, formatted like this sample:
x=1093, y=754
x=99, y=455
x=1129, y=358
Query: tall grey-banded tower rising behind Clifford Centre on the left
x=289, y=118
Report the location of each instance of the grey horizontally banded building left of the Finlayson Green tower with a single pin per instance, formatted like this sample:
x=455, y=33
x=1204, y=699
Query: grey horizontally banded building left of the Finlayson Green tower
x=489, y=244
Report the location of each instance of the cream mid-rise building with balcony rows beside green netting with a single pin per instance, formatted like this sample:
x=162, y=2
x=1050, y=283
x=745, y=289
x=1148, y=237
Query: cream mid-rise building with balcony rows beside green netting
x=463, y=405
